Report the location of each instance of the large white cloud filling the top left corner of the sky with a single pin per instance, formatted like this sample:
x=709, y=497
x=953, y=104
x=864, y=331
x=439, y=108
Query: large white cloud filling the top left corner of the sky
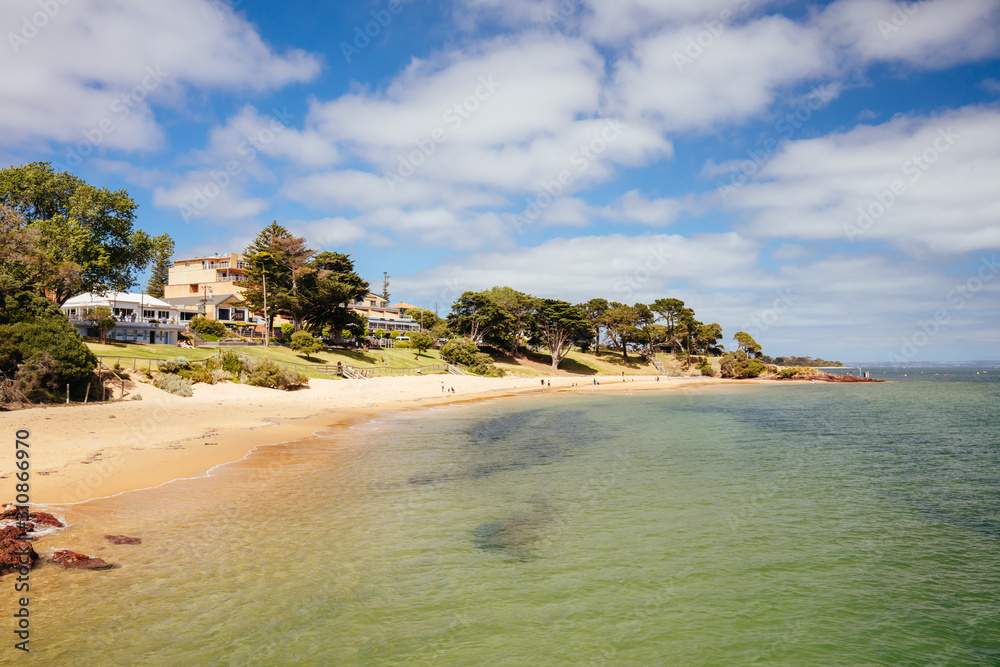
x=95, y=66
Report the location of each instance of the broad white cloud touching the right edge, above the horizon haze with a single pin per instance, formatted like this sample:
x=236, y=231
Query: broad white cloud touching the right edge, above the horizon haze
x=923, y=184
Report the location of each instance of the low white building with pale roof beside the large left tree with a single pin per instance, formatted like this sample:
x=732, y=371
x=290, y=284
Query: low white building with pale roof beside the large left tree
x=140, y=318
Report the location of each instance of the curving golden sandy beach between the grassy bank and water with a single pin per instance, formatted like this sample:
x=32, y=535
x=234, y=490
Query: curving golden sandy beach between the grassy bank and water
x=81, y=452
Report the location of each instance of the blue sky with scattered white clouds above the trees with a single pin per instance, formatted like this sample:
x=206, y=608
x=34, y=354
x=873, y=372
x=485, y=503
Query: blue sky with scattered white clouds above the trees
x=824, y=175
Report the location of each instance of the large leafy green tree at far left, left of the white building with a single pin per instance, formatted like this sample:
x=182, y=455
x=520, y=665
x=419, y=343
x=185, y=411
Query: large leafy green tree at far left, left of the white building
x=83, y=231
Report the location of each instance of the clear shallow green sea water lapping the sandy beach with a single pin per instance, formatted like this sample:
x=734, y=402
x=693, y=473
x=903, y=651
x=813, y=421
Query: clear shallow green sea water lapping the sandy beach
x=775, y=525
